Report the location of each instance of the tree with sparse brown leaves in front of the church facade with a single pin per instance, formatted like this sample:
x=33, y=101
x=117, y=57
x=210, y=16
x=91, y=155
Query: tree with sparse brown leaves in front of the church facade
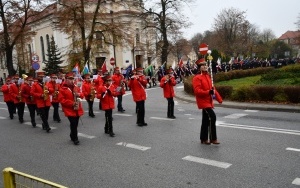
x=86, y=18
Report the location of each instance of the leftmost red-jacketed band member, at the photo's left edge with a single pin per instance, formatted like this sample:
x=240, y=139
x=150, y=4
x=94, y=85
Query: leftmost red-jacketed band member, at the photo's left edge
x=8, y=98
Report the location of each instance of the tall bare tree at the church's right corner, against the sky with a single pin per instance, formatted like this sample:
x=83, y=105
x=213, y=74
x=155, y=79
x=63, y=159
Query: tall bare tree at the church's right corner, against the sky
x=166, y=14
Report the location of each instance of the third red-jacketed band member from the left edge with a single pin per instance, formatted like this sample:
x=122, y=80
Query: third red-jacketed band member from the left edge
x=29, y=100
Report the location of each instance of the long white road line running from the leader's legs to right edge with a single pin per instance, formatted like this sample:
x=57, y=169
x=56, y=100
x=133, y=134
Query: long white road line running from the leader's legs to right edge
x=256, y=128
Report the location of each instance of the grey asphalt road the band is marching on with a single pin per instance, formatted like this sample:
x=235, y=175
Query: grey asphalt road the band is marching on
x=258, y=148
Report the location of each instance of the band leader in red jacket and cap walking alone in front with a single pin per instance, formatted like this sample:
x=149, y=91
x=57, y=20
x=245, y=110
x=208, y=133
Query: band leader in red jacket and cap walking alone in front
x=204, y=93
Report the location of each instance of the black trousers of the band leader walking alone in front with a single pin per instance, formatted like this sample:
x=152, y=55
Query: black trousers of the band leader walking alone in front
x=208, y=127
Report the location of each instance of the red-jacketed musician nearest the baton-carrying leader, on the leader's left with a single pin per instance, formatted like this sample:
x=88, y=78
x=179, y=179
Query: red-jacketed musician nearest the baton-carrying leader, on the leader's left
x=167, y=83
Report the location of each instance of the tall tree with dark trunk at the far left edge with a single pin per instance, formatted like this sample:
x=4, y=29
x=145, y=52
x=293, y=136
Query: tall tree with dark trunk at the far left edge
x=15, y=14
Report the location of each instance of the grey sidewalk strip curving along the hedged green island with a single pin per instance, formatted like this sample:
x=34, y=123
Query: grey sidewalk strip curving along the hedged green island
x=244, y=105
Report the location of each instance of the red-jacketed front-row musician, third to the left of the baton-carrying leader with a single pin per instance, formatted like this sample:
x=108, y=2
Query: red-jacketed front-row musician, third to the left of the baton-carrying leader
x=106, y=93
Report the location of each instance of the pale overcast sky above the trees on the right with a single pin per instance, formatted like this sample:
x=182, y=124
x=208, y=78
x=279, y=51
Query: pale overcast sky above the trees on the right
x=277, y=15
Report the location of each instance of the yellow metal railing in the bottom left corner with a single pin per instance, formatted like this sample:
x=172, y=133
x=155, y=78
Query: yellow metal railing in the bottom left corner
x=16, y=179
